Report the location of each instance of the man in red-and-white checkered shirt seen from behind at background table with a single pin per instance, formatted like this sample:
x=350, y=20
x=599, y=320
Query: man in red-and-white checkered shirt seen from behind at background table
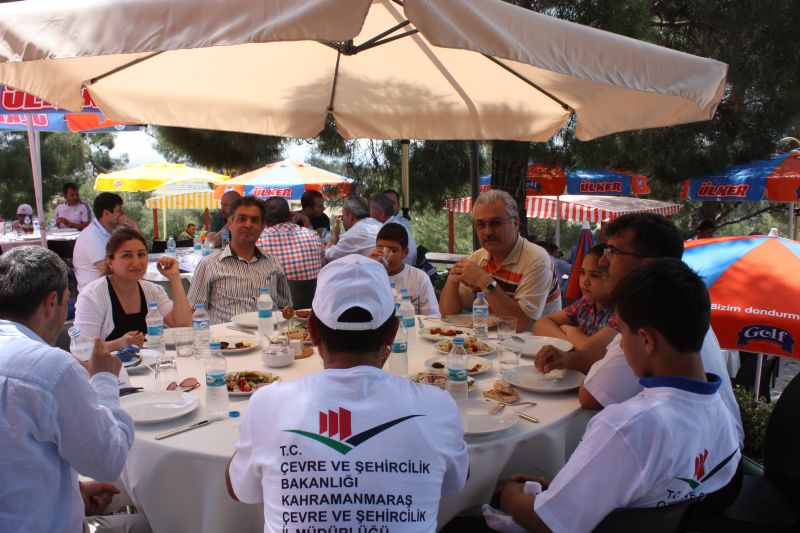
x=299, y=249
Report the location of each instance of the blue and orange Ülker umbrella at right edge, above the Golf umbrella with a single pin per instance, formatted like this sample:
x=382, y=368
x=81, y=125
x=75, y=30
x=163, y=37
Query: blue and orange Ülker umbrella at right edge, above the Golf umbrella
x=776, y=179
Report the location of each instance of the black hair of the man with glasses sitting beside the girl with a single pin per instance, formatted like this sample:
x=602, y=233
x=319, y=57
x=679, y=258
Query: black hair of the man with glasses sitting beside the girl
x=653, y=235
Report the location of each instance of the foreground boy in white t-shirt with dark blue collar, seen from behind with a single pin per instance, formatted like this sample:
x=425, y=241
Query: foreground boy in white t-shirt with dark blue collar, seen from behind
x=673, y=441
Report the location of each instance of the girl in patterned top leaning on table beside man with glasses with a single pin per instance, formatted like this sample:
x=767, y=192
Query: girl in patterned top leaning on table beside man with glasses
x=588, y=323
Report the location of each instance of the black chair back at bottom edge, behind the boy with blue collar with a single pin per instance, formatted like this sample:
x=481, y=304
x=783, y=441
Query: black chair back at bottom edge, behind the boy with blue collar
x=667, y=519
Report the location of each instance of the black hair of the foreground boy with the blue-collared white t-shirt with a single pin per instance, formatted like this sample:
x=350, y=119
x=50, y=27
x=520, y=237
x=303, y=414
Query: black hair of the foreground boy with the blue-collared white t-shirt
x=668, y=296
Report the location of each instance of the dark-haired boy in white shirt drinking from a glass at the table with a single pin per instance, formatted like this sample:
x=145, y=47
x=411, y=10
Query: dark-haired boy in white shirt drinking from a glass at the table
x=390, y=250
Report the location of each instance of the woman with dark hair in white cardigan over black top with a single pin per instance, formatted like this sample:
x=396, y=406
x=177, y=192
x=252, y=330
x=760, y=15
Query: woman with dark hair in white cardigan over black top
x=114, y=307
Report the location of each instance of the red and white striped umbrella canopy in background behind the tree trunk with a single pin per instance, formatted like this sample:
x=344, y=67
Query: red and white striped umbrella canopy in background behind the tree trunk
x=578, y=208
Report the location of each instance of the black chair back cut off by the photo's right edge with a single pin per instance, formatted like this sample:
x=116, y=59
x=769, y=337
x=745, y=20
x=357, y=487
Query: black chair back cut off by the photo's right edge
x=782, y=442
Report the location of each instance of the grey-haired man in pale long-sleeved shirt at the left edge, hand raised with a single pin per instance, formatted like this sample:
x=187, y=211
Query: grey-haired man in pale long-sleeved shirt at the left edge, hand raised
x=58, y=417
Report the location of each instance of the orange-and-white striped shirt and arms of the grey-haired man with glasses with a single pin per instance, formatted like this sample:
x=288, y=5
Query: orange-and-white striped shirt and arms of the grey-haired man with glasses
x=527, y=274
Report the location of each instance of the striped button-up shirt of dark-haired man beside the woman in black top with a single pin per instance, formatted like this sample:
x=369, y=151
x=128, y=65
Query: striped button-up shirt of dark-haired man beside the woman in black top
x=229, y=285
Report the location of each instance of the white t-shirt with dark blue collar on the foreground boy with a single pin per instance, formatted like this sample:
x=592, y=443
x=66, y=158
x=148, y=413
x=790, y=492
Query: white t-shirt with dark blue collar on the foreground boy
x=672, y=441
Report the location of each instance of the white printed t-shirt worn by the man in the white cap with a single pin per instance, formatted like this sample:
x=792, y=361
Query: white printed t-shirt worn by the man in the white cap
x=349, y=447
